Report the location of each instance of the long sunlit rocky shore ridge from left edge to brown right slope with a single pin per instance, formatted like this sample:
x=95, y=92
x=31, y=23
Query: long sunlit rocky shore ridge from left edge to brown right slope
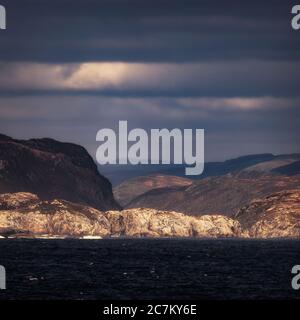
x=24, y=213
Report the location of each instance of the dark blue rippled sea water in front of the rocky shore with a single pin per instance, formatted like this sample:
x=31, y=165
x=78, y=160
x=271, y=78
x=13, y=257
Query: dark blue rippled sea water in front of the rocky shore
x=149, y=269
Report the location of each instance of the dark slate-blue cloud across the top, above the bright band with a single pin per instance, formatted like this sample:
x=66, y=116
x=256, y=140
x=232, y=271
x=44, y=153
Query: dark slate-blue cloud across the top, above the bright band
x=156, y=30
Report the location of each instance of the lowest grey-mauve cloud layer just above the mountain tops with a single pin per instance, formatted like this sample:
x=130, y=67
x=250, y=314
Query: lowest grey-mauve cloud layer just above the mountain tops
x=233, y=126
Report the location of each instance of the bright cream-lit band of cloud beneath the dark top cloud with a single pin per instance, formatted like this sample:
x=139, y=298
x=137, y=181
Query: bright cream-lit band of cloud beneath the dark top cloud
x=222, y=79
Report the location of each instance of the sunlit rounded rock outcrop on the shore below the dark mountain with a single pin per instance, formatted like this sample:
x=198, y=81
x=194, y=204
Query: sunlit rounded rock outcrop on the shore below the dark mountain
x=53, y=217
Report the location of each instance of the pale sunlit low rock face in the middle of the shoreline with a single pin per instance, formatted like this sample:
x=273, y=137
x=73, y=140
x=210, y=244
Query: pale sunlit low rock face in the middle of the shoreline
x=155, y=223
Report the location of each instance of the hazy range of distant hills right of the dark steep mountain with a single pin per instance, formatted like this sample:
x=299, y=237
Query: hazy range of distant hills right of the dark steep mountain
x=223, y=187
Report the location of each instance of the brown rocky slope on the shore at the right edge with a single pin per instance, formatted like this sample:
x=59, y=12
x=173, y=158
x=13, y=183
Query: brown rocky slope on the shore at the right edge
x=277, y=215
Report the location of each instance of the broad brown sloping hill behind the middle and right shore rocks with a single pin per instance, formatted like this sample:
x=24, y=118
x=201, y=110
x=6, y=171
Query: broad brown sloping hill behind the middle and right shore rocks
x=225, y=194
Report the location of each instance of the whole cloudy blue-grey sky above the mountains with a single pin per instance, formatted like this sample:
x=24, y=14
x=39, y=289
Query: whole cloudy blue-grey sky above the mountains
x=69, y=68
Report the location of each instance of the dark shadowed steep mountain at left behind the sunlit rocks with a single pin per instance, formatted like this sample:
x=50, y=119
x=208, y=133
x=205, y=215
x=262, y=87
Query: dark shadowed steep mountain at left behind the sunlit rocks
x=53, y=169
